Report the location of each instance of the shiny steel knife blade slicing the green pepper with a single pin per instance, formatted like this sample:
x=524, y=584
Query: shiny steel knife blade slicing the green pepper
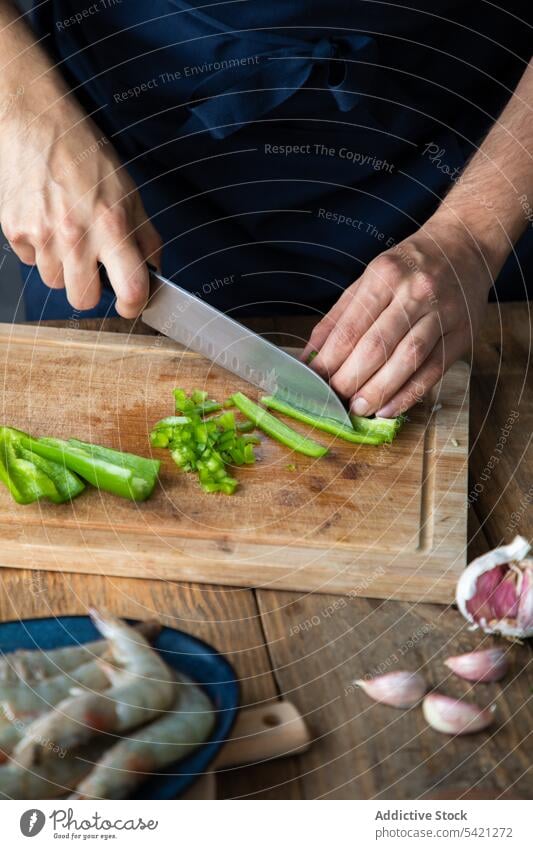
x=177, y=313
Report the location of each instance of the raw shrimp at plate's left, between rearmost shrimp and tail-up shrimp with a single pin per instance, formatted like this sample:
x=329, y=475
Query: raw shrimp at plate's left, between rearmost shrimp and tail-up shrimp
x=27, y=701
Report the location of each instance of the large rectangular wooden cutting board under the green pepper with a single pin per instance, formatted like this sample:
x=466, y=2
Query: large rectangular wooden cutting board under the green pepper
x=386, y=521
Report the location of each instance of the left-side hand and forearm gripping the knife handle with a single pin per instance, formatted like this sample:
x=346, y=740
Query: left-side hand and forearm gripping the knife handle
x=66, y=203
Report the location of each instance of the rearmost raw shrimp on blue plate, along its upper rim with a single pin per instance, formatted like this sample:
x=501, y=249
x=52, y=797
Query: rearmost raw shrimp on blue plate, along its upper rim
x=32, y=665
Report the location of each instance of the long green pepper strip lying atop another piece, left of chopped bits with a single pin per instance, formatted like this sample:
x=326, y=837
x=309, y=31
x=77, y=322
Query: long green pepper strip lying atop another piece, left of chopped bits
x=117, y=472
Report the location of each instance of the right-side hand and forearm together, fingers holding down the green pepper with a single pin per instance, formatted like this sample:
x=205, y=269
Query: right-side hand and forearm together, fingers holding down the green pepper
x=419, y=306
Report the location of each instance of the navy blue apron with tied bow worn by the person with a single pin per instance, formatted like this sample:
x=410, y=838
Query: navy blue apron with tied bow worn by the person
x=278, y=147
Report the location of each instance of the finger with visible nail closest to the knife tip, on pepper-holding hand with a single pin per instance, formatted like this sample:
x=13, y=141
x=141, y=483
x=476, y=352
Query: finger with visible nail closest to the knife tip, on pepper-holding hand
x=406, y=360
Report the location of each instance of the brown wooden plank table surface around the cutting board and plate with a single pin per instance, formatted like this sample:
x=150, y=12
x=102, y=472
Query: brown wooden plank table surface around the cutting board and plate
x=310, y=648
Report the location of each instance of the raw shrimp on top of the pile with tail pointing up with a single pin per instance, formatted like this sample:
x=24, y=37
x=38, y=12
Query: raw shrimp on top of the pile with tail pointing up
x=141, y=690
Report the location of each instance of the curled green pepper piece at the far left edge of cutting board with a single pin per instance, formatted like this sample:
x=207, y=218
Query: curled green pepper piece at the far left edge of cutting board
x=29, y=477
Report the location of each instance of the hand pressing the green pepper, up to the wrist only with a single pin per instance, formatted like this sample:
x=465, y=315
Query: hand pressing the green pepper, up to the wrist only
x=396, y=330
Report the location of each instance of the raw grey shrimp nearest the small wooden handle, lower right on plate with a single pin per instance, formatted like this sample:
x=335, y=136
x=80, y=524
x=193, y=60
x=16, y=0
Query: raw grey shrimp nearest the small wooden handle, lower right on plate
x=166, y=740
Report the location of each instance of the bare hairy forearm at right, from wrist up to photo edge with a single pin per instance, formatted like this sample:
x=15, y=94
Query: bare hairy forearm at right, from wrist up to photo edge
x=491, y=199
